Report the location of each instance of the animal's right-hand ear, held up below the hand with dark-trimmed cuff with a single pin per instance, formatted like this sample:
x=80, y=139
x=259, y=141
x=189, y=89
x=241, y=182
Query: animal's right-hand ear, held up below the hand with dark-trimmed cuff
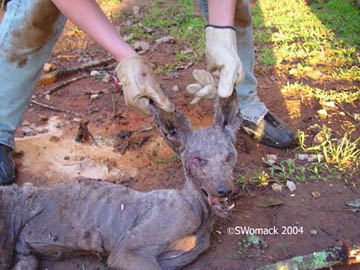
x=227, y=114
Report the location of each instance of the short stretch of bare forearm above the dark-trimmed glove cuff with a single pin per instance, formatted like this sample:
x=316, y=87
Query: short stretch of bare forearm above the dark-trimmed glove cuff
x=221, y=12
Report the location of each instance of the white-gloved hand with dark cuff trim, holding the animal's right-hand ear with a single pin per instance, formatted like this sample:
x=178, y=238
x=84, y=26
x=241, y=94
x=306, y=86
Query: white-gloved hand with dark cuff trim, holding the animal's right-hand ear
x=221, y=55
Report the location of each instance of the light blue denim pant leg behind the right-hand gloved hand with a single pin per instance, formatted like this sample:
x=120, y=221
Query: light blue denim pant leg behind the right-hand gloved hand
x=251, y=107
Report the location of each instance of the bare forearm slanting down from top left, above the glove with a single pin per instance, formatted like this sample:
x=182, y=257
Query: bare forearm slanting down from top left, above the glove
x=87, y=15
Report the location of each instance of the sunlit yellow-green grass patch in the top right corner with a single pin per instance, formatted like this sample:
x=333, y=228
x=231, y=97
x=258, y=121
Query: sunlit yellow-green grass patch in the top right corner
x=319, y=34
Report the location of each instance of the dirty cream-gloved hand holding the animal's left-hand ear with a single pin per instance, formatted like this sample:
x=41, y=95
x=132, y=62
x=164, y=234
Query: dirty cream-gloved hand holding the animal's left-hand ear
x=139, y=85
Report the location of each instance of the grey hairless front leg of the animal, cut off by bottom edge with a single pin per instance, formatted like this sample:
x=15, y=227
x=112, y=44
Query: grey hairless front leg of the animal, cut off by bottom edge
x=126, y=259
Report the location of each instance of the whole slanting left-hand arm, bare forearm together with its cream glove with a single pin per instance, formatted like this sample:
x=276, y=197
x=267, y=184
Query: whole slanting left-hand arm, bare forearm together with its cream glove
x=87, y=15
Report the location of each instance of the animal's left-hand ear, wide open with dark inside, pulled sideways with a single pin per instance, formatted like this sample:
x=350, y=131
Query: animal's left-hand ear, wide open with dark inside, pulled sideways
x=173, y=127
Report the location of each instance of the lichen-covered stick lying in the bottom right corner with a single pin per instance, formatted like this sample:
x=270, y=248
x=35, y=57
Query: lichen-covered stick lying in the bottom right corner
x=317, y=260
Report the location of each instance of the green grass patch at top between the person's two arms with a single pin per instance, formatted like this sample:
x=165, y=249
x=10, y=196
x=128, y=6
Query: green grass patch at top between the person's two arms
x=175, y=19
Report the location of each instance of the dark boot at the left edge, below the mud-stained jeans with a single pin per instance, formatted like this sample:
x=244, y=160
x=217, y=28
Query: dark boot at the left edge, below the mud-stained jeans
x=7, y=165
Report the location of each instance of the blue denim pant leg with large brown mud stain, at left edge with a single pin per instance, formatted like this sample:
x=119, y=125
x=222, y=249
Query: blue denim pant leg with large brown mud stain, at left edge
x=28, y=32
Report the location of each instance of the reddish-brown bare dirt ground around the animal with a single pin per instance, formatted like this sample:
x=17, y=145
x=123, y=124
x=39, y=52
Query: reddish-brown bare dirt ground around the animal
x=47, y=153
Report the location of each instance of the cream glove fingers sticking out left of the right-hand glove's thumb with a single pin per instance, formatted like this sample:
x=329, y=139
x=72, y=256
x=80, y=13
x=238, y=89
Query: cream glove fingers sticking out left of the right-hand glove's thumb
x=205, y=86
